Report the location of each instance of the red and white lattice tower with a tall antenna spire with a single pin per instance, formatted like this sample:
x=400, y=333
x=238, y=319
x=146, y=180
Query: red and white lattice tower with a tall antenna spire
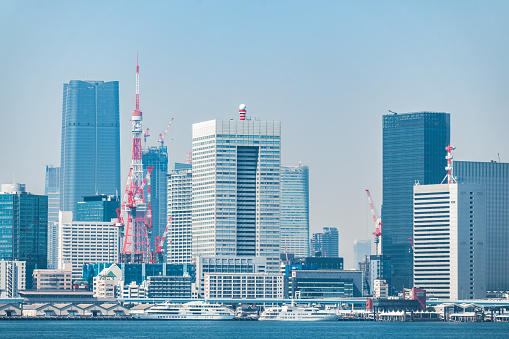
x=135, y=215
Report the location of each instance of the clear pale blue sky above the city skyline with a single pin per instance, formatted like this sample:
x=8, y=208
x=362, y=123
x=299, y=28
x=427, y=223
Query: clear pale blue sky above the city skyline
x=328, y=70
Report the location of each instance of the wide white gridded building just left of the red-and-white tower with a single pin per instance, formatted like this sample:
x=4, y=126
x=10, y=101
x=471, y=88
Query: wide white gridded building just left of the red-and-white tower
x=86, y=242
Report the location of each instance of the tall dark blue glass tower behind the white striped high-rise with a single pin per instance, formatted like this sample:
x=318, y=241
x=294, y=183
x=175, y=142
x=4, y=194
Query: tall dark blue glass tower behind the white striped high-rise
x=413, y=150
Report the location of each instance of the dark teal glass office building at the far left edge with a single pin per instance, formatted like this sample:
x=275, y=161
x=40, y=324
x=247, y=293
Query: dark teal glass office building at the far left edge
x=23, y=228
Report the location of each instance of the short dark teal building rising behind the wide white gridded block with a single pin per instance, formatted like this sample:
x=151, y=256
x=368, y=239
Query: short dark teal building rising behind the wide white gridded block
x=98, y=208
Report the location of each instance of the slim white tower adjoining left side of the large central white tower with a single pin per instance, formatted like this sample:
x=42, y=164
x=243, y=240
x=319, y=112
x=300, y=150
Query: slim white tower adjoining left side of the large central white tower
x=180, y=238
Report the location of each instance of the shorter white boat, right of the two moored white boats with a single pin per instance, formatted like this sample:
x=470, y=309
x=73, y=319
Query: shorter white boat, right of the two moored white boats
x=293, y=313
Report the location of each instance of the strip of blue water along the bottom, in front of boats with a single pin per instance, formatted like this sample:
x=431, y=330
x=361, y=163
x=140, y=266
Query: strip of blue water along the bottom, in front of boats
x=247, y=329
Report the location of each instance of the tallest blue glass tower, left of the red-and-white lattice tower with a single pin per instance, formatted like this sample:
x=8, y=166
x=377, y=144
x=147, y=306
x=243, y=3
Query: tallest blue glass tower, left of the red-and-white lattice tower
x=90, y=148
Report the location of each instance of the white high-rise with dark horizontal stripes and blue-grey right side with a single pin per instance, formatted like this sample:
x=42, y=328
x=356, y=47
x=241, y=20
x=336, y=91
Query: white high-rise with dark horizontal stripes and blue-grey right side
x=449, y=236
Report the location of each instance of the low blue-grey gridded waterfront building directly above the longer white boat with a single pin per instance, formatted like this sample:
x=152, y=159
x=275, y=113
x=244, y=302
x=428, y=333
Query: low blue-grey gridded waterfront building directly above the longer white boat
x=165, y=286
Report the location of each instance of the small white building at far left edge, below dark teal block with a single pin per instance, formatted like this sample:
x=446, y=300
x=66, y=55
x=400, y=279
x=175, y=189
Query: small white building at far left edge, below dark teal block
x=12, y=278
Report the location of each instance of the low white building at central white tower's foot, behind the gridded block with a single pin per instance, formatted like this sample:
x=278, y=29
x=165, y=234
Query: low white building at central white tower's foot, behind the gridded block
x=226, y=264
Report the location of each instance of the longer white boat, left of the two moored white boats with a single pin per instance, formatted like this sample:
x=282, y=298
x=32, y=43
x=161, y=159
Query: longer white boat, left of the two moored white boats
x=195, y=310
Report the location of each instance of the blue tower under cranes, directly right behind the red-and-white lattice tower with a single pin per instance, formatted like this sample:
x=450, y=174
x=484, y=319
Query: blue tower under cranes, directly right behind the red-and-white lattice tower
x=157, y=157
